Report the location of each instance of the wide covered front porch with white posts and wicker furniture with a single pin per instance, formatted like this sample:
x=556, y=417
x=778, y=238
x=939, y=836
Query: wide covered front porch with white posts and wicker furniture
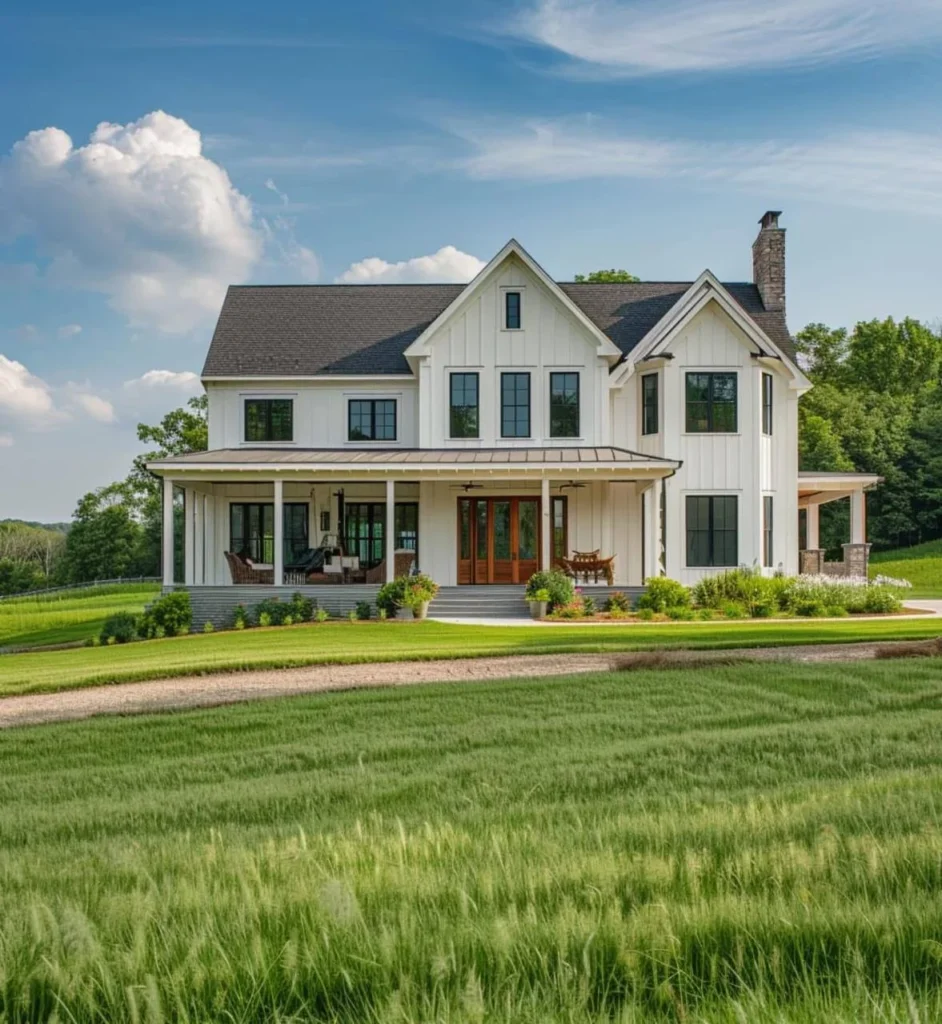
x=466, y=519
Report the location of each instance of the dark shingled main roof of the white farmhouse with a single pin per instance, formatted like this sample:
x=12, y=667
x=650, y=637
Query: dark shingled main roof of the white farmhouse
x=308, y=330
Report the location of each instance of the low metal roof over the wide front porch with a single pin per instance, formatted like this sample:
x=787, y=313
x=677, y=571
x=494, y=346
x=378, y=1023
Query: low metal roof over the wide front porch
x=418, y=461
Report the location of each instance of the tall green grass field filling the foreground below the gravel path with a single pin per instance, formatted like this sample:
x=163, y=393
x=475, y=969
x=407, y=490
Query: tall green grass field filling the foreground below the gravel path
x=737, y=845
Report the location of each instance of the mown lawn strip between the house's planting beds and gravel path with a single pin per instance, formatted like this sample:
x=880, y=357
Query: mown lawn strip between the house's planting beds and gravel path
x=350, y=644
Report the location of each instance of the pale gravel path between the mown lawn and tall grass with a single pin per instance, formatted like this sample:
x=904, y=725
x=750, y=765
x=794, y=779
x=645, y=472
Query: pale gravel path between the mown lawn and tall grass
x=235, y=688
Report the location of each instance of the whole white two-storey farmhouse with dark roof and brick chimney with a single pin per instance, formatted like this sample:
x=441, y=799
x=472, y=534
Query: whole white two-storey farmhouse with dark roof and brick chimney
x=482, y=433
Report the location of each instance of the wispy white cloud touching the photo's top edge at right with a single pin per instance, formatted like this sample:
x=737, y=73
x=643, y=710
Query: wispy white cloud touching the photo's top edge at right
x=620, y=38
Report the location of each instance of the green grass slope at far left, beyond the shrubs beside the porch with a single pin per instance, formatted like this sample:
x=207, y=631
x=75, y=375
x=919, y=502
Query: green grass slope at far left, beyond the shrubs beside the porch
x=69, y=616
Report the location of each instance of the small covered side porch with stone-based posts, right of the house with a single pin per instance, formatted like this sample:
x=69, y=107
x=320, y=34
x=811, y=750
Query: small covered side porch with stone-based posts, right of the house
x=817, y=490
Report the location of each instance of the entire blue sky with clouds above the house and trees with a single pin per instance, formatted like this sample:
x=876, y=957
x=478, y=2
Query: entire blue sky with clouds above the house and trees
x=377, y=142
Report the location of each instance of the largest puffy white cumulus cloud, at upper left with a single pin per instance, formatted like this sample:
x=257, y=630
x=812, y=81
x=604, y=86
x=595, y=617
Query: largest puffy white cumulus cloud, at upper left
x=140, y=215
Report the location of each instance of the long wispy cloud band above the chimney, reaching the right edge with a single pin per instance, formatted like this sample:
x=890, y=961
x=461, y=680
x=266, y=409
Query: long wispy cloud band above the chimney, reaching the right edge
x=881, y=170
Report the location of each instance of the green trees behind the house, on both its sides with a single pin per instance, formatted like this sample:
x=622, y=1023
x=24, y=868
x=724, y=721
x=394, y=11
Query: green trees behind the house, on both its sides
x=876, y=408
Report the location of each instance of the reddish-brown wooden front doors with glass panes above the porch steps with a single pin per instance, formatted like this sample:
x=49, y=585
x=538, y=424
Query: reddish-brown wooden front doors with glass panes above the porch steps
x=498, y=540
